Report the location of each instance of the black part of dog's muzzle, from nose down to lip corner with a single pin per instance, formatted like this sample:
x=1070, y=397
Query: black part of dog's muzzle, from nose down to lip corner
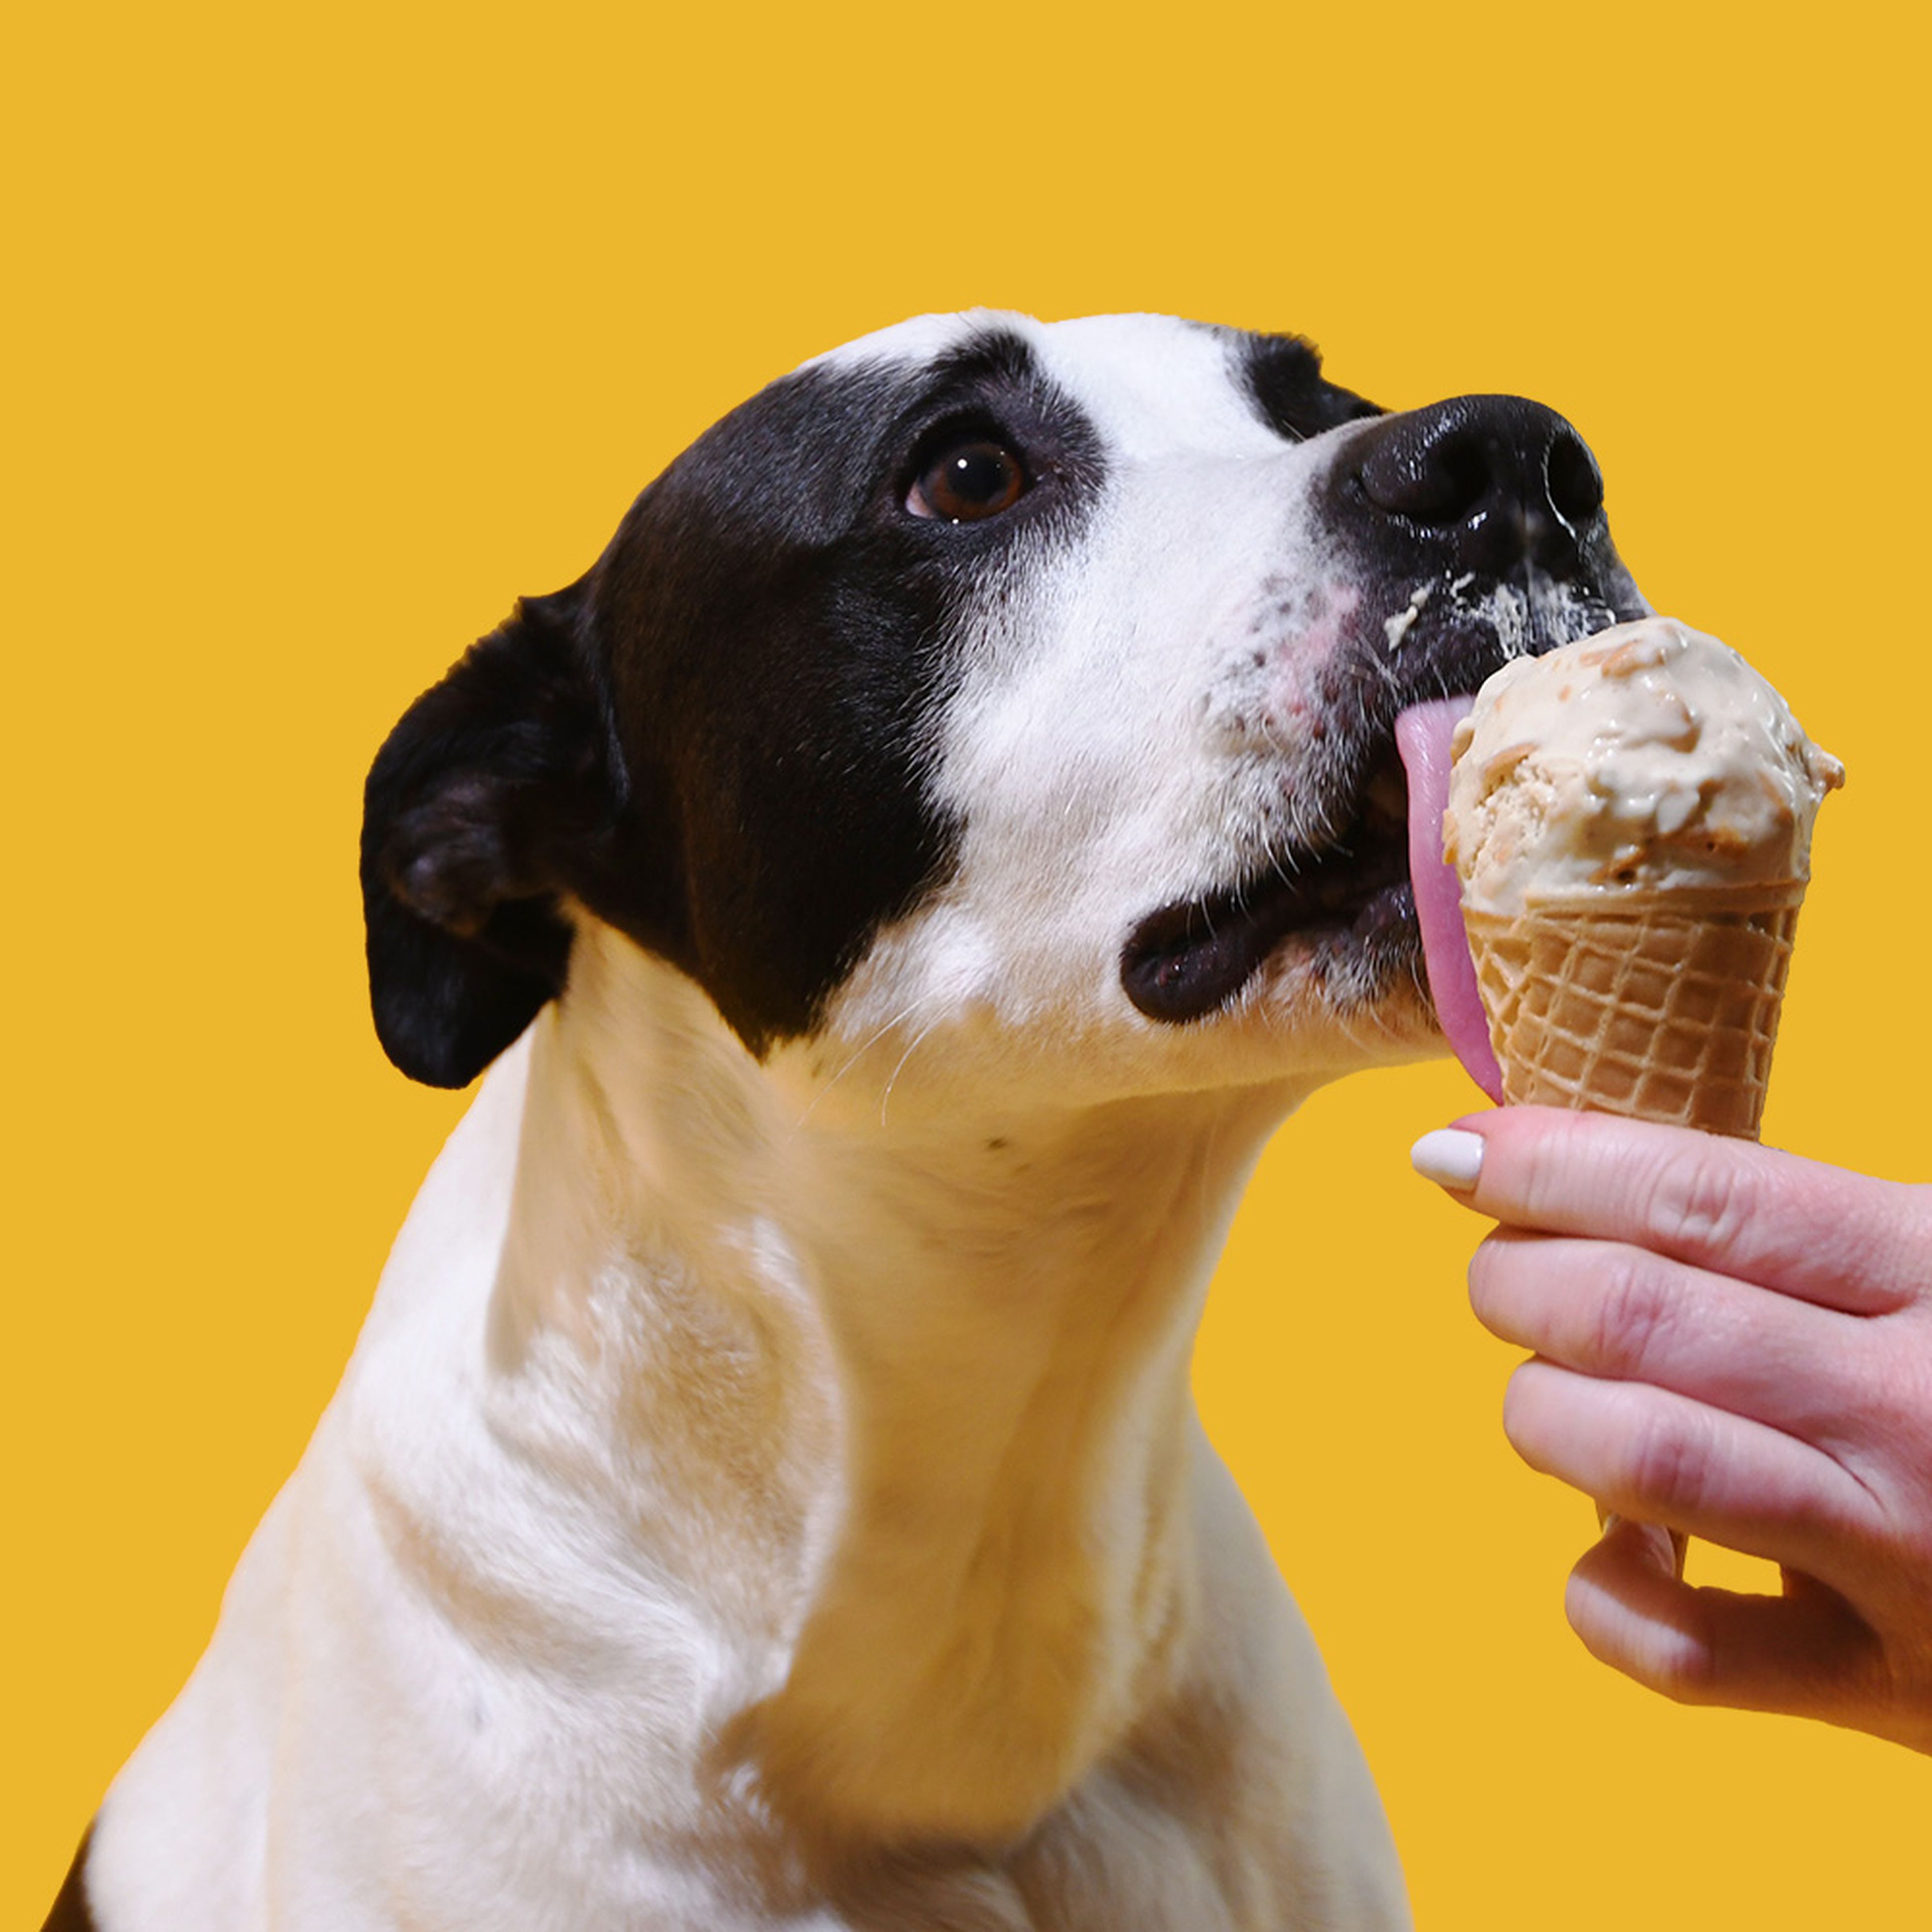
x=1454, y=513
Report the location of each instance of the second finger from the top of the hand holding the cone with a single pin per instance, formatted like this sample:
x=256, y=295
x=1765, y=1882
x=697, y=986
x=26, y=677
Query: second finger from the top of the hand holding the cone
x=1628, y=1315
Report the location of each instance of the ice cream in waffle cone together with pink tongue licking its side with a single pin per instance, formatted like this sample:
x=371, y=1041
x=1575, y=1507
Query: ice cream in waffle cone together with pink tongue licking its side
x=1630, y=822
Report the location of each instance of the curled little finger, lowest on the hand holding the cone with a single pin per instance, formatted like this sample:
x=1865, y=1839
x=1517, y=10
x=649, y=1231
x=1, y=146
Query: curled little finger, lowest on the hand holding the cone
x=1805, y=1653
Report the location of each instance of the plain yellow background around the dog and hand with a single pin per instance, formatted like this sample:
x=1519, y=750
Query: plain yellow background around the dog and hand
x=337, y=329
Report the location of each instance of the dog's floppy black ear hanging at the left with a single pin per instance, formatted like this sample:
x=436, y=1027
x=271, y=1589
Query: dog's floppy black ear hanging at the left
x=482, y=809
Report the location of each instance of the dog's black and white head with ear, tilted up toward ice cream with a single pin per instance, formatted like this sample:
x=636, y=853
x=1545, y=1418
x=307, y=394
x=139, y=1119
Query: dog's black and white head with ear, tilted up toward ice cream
x=1017, y=685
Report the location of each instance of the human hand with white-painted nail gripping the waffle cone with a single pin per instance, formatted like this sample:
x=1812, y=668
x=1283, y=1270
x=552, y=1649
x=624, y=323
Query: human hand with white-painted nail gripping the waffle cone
x=1734, y=1344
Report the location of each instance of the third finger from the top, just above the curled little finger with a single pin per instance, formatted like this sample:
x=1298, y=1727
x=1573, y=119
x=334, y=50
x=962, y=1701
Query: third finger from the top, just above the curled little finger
x=1662, y=1458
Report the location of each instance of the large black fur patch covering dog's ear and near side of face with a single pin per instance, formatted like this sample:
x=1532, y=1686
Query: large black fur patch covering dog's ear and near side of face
x=720, y=739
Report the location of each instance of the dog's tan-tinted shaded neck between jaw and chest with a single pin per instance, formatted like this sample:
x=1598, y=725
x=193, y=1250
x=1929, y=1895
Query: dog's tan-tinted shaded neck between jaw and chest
x=903, y=1404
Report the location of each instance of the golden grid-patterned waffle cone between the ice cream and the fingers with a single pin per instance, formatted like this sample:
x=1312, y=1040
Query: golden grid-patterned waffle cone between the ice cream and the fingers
x=1662, y=1009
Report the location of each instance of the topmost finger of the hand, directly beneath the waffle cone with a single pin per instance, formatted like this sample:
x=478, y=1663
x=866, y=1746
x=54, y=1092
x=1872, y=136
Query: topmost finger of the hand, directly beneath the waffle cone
x=1730, y=1207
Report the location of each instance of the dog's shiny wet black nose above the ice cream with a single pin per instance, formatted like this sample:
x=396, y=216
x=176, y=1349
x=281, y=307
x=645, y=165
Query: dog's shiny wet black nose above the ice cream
x=1491, y=480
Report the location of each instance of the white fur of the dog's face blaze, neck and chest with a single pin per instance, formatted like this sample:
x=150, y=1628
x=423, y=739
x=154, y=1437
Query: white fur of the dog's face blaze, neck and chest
x=751, y=1465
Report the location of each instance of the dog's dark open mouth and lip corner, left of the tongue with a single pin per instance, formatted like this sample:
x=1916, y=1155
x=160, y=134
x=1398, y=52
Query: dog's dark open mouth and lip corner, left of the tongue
x=1193, y=957
